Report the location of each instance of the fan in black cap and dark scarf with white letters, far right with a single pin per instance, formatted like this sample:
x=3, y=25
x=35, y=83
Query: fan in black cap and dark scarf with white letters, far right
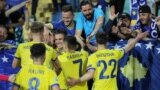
x=146, y=23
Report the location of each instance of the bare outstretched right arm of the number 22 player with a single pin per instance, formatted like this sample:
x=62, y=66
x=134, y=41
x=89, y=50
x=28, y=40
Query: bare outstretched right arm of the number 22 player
x=132, y=42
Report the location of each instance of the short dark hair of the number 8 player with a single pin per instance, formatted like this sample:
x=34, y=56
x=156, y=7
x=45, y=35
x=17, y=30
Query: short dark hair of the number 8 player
x=38, y=50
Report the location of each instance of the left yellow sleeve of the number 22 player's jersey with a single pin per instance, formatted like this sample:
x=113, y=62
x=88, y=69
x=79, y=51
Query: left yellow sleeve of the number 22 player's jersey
x=91, y=63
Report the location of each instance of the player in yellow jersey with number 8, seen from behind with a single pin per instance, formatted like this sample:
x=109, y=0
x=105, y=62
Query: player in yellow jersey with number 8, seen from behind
x=36, y=76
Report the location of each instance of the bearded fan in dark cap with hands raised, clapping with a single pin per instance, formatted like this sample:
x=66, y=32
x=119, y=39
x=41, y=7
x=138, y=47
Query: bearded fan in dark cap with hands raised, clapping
x=116, y=32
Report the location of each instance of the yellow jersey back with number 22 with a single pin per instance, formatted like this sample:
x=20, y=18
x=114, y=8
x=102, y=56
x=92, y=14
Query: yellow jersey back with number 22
x=105, y=63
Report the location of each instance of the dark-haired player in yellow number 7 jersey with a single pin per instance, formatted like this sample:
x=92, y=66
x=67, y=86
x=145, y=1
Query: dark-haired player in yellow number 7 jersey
x=72, y=62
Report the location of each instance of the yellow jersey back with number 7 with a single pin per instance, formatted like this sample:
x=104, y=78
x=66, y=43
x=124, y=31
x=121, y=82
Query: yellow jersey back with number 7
x=74, y=65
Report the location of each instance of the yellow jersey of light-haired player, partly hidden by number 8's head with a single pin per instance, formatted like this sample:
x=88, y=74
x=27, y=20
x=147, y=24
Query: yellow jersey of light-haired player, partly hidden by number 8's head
x=23, y=53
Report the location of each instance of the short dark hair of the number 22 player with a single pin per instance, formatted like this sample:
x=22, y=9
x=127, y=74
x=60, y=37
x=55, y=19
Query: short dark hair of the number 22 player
x=101, y=38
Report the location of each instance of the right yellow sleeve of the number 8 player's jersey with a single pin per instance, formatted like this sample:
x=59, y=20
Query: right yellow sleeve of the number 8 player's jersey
x=53, y=80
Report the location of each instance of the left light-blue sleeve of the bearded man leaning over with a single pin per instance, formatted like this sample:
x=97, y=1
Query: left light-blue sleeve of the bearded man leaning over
x=79, y=24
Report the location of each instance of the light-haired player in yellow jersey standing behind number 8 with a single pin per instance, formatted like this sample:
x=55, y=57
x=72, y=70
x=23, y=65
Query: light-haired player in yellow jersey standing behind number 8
x=22, y=55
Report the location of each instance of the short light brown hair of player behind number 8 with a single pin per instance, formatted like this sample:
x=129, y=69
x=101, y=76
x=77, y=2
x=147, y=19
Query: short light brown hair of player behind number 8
x=37, y=27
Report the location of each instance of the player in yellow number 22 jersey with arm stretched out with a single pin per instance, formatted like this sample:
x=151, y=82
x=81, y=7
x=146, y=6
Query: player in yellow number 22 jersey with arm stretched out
x=102, y=65
